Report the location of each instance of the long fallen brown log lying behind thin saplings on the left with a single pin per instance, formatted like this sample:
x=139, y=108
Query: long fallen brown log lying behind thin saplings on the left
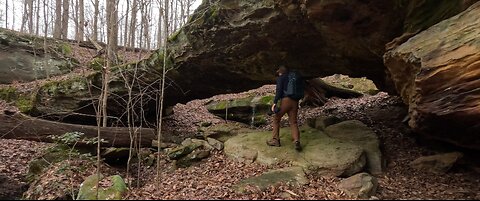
x=15, y=125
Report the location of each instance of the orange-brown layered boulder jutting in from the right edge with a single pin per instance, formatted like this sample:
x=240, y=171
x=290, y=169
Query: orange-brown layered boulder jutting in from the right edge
x=437, y=73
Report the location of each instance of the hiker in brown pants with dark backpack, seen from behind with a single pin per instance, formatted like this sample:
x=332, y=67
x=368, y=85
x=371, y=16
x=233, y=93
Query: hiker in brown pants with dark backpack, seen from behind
x=289, y=97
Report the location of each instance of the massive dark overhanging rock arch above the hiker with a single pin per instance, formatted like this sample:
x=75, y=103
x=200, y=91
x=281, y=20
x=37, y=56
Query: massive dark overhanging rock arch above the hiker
x=241, y=43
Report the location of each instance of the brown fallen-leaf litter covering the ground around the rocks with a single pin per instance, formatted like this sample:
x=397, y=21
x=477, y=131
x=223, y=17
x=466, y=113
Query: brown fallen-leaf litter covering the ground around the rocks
x=214, y=176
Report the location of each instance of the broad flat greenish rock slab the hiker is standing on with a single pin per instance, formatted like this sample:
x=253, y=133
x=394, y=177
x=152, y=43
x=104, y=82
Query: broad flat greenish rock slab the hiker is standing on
x=320, y=152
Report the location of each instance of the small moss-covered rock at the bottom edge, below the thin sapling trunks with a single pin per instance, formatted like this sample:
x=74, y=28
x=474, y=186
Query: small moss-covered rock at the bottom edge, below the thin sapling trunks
x=113, y=192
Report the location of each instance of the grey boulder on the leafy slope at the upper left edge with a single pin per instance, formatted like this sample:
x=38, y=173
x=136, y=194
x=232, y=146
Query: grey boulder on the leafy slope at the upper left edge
x=23, y=59
